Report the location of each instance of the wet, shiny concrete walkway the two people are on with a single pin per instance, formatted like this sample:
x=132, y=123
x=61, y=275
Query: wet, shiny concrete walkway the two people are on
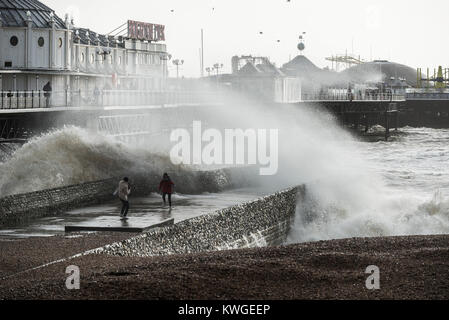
x=144, y=212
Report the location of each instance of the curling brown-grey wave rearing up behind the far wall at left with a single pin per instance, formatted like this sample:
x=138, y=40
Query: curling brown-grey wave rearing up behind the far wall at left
x=73, y=155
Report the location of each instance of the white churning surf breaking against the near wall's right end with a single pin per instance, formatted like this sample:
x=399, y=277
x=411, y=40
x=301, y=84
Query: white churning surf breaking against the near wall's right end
x=378, y=213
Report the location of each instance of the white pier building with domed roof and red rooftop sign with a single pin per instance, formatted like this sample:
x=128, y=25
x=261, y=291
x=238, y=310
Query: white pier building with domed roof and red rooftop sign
x=36, y=46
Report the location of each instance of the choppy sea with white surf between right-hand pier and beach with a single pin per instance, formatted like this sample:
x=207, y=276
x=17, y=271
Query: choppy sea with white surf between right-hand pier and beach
x=409, y=195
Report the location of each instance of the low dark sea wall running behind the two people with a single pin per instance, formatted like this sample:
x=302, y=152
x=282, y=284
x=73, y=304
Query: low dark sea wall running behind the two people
x=19, y=208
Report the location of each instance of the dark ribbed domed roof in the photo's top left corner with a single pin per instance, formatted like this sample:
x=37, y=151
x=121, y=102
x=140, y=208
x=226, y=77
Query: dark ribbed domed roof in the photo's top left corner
x=13, y=13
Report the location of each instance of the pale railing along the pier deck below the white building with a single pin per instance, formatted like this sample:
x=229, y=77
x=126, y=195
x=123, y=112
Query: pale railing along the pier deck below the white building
x=18, y=100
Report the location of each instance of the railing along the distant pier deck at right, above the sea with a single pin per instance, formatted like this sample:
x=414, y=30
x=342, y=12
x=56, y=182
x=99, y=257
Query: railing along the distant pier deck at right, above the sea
x=353, y=97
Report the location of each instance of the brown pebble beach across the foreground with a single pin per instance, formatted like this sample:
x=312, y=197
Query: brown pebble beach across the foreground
x=410, y=268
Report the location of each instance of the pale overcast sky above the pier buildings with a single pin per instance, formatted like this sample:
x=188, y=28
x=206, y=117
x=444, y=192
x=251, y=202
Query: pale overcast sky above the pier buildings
x=410, y=32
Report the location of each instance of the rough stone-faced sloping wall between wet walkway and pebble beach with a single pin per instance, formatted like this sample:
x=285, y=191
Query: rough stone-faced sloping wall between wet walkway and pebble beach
x=260, y=223
